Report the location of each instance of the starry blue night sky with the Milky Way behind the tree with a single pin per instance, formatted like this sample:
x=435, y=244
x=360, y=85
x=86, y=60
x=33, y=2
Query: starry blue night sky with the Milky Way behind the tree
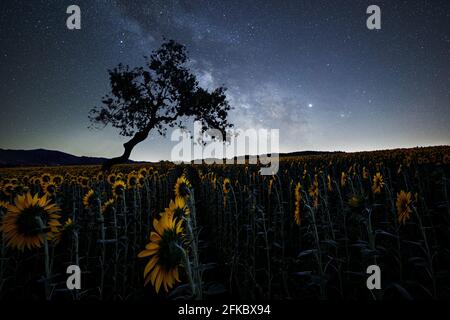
x=309, y=68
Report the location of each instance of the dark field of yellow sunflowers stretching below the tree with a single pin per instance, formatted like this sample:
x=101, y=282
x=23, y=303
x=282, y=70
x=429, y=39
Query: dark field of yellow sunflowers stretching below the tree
x=166, y=231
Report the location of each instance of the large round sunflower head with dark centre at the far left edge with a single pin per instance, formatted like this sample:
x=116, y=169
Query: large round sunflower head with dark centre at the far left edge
x=21, y=227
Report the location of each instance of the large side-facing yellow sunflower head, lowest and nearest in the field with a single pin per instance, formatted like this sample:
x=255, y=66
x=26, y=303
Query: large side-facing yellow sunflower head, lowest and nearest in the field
x=165, y=253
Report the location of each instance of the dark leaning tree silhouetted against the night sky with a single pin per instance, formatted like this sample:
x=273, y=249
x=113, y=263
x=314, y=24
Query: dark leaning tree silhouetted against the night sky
x=162, y=94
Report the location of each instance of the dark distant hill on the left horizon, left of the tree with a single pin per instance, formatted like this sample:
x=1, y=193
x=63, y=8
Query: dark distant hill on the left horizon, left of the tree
x=42, y=157
